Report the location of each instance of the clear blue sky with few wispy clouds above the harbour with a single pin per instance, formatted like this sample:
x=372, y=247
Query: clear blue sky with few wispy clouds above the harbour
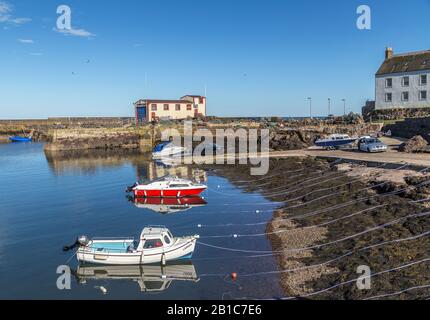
x=256, y=58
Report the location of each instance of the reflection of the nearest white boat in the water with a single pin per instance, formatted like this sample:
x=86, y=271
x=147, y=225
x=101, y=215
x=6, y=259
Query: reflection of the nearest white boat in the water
x=151, y=278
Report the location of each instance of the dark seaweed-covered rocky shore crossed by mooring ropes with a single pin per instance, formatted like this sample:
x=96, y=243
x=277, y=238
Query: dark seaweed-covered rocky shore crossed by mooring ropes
x=333, y=231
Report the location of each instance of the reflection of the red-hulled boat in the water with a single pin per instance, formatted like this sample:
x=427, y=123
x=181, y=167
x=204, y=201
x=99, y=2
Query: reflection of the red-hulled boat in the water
x=169, y=205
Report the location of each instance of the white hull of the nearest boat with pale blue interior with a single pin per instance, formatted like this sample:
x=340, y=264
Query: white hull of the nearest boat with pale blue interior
x=183, y=250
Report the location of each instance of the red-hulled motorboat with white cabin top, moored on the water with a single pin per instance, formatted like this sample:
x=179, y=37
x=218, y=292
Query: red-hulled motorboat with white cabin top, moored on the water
x=168, y=187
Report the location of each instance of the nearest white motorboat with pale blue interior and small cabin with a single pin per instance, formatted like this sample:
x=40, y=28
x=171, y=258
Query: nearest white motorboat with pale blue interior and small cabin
x=156, y=245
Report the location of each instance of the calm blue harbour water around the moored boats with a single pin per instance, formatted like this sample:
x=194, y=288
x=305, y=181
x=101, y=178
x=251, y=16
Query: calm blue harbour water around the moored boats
x=46, y=201
